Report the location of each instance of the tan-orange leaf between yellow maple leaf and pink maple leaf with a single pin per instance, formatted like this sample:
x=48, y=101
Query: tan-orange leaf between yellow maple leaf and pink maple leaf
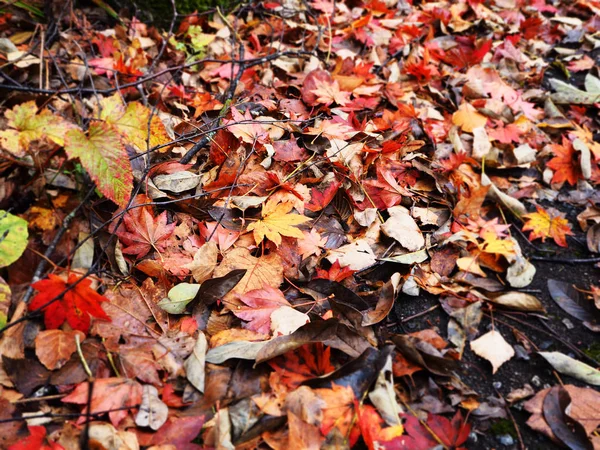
x=266, y=270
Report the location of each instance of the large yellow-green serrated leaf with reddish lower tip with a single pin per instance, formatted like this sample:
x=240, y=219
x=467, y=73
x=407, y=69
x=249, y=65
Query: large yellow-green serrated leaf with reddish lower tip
x=103, y=155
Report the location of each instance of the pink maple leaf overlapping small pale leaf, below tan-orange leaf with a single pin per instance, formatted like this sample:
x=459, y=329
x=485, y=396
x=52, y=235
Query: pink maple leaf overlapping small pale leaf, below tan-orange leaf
x=260, y=304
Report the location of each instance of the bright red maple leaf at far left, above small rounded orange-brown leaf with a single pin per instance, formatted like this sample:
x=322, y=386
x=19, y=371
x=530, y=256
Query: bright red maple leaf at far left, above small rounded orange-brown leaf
x=76, y=306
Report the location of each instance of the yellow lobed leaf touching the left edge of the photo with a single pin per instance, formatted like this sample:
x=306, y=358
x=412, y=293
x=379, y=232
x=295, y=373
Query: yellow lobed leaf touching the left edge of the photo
x=26, y=125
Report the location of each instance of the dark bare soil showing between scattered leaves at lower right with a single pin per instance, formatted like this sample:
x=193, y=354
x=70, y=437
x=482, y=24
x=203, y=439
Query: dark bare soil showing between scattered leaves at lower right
x=549, y=334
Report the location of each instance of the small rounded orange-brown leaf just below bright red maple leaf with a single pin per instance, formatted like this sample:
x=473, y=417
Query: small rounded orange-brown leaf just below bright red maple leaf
x=54, y=347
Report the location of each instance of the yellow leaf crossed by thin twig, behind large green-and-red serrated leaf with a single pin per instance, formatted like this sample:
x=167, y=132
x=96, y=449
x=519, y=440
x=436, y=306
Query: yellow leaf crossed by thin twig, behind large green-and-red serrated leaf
x=134, y=122
